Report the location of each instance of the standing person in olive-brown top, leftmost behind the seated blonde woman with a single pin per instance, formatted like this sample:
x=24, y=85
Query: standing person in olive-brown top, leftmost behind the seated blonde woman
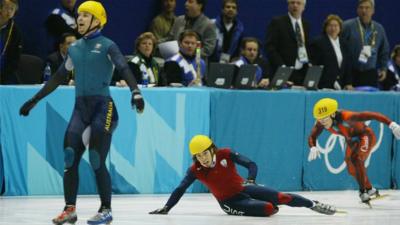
x=162, y=24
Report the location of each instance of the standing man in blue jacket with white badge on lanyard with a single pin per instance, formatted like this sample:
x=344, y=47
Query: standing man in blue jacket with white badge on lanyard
x=369, y=46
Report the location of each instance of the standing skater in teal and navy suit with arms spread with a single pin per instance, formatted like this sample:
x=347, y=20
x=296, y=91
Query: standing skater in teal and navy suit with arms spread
x=93, y=58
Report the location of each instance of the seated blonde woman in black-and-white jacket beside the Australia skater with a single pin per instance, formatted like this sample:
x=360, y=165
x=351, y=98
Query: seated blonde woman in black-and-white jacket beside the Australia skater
x=143, y=64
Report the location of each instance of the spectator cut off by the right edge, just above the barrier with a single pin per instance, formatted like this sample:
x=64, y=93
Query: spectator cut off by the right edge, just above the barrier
x=392, y=81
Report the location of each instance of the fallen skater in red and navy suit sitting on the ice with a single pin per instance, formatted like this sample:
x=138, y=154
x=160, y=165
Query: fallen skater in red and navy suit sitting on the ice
x=216, y=169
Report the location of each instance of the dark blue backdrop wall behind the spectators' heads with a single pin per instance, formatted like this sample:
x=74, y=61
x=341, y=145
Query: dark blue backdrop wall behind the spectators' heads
x=129, y=18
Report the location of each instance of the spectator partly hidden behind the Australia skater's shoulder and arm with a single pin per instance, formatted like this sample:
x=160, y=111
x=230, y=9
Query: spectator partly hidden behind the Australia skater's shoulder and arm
x=55, y=59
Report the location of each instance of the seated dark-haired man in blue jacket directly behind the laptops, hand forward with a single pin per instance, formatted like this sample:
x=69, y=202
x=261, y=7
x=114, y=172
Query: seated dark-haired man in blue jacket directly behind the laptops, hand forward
x=250, y=54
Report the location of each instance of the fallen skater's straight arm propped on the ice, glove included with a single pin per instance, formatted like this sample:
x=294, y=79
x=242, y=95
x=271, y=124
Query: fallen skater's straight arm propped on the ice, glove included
x=177, y=193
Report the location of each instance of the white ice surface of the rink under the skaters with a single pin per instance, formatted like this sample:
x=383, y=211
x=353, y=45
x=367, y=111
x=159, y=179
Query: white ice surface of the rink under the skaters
x=202, y=209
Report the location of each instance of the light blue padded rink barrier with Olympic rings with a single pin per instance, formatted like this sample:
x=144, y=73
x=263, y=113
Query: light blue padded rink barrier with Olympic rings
x=149, y=152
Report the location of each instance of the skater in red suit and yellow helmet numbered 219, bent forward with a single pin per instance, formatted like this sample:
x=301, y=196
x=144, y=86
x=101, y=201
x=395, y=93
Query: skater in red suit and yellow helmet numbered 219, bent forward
x=360, y=139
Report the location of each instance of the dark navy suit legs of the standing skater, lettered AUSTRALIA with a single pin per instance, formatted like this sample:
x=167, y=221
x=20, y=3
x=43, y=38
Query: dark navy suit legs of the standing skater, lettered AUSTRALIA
x=99, y=113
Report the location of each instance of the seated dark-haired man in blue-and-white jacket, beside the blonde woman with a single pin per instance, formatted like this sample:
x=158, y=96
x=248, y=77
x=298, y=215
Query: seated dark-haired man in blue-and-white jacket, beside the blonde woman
x=186, y=67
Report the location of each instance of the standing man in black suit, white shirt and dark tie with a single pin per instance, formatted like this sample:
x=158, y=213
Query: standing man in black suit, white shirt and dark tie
x=286, y=41
